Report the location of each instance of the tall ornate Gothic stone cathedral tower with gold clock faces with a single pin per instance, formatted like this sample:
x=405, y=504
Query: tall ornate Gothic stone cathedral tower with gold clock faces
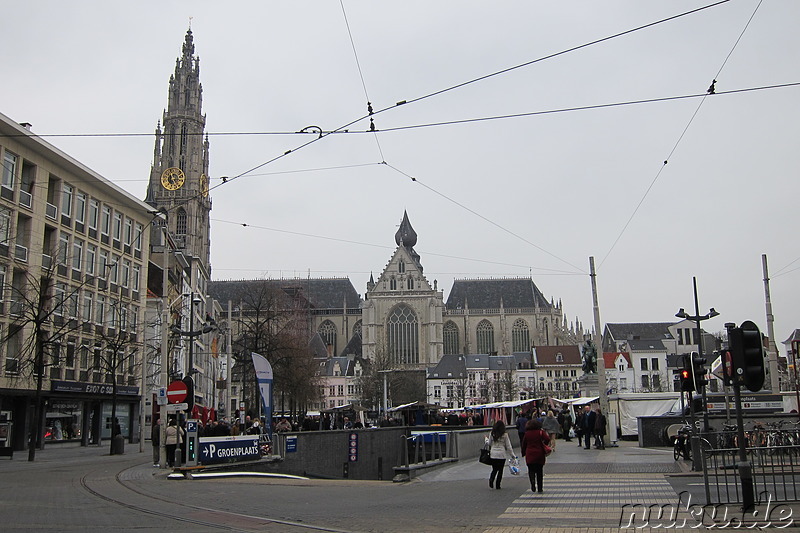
x=179, y=175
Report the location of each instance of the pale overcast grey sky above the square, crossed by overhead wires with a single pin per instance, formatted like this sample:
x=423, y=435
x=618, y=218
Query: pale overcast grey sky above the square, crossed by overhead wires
x=530, y=195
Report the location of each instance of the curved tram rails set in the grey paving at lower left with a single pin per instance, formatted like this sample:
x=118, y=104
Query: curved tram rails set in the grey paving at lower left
x=213, y=518
